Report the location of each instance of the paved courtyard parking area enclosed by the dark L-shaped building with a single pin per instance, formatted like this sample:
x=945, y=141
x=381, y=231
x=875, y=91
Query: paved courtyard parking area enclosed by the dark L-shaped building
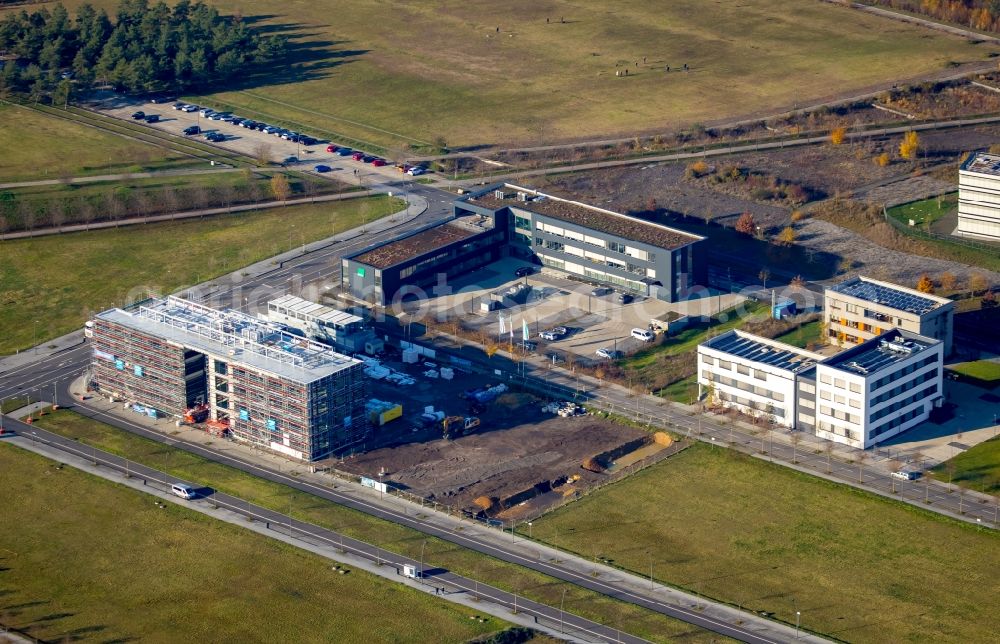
x=592, y=322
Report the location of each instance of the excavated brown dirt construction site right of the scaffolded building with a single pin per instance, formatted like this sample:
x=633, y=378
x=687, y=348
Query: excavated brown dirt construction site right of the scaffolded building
x=468, y=441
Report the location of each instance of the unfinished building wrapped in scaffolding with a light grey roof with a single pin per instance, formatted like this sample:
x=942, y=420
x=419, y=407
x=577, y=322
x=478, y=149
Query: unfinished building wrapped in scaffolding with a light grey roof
x=270, y=388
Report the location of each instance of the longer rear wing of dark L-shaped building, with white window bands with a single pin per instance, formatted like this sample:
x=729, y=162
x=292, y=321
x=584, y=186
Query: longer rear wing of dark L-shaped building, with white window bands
x=599, y=245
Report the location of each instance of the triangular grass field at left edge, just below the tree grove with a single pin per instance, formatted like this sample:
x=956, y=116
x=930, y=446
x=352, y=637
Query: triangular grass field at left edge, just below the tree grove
x=38, y=147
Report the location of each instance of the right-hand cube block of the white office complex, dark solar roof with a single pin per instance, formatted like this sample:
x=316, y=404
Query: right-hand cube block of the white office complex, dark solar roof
x=874, y=391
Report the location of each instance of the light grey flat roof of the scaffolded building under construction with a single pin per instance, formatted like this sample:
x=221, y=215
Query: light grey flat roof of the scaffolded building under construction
x=261, y=345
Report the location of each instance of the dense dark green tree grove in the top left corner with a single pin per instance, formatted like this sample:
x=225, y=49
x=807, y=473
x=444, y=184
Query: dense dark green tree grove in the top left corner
x=143, y=48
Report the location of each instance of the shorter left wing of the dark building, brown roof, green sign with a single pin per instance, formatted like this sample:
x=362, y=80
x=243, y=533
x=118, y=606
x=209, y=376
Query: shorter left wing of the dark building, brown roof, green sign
x=419, y=262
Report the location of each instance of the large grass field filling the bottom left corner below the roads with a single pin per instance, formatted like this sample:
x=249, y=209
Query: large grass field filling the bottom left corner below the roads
x=86, y=559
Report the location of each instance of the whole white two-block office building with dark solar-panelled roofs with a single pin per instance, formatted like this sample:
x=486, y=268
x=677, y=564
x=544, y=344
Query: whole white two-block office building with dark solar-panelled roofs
x=860, y=396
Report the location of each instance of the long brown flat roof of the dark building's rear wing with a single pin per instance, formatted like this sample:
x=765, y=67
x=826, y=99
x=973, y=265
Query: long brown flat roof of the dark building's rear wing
x=599, y=219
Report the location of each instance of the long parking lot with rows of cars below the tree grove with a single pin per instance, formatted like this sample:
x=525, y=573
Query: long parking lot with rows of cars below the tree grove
x=250, y=142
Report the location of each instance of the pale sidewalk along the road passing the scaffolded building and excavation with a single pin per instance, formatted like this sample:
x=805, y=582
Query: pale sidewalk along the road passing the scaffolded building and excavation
x=619, y=583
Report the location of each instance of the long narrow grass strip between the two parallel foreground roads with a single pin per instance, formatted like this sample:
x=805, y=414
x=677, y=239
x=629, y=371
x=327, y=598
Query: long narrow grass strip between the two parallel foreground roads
x=391, y=536
